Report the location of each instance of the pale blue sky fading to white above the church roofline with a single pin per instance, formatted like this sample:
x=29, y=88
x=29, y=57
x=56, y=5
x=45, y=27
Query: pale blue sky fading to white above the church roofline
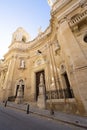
x=29, y=14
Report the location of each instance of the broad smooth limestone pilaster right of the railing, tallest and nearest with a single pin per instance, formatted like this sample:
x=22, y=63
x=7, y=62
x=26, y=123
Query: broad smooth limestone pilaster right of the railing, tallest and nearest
x=72, y=52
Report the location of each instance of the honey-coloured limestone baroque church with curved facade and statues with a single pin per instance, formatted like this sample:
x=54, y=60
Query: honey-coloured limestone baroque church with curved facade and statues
x=51, y=70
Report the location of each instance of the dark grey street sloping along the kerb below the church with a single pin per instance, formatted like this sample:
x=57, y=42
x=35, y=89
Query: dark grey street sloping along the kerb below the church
x=17, y=120
